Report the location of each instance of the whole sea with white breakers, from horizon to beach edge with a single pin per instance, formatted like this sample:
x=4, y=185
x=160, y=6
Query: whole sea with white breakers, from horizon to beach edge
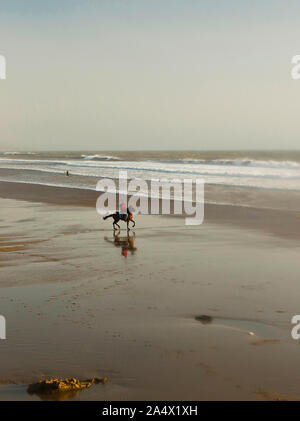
x=255, y=170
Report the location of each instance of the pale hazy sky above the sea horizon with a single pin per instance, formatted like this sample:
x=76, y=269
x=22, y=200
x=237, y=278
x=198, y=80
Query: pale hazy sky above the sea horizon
x=149, y=74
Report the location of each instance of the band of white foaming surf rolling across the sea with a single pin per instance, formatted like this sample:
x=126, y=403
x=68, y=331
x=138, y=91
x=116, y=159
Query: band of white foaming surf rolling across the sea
x=244, y=172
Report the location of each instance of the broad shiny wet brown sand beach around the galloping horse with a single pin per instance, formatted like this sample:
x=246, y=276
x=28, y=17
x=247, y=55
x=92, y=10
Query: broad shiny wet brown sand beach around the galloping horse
x=76, y=306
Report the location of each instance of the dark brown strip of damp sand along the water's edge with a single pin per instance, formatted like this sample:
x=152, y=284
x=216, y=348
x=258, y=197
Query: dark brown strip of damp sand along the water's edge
x=279, y=222
